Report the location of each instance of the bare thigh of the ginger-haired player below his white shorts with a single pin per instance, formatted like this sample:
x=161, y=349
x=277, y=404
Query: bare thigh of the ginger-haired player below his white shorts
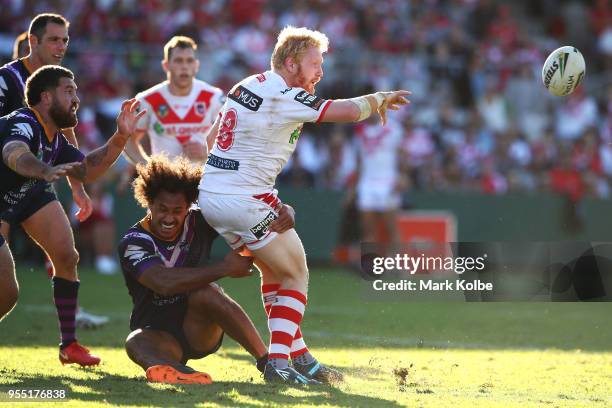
x=284, y=255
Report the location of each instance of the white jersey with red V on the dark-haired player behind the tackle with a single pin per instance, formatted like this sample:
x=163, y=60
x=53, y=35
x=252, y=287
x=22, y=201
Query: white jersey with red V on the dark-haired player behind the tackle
x=172, y=120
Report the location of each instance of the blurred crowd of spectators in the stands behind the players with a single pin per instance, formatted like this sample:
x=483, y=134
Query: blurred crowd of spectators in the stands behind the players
x=480, y=117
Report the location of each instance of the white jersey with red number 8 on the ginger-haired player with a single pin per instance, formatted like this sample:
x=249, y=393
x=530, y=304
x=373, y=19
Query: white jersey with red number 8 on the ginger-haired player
x=260, y=125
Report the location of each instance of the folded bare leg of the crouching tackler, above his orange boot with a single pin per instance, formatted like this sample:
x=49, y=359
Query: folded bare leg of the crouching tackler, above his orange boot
x=146, y=346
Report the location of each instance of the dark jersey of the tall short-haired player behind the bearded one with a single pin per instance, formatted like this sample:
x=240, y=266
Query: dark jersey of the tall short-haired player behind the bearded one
x=13, y=77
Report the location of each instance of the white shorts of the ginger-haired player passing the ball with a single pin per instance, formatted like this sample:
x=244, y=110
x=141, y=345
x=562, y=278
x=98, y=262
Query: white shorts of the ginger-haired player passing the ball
x=241, y=219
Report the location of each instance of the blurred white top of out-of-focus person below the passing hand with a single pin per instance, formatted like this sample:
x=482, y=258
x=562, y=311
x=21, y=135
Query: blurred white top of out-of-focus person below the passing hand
x=378, y=148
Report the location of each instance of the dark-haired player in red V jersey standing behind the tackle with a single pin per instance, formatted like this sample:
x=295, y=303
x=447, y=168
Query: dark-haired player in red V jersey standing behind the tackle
x=180, y=110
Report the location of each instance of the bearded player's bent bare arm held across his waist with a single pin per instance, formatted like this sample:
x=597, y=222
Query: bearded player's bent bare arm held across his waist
x=18, y=157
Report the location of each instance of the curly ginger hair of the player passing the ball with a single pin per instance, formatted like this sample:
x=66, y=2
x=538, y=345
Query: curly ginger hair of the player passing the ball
x=293, y=42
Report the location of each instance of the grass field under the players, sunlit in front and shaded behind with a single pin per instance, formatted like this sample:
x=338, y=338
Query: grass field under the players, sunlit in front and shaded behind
x=394, y=353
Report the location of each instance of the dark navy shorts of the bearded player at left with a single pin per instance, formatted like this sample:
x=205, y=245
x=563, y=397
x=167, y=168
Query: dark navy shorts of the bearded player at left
x=36, y=198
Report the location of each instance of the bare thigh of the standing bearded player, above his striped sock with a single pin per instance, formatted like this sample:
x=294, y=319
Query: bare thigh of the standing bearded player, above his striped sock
x=50, y=229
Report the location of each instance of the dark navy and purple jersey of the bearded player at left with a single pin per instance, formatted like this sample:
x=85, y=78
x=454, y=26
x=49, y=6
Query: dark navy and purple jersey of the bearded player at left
x=23, y=125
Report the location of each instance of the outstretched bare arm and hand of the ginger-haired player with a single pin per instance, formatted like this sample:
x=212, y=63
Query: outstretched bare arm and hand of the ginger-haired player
x=362, y=107
